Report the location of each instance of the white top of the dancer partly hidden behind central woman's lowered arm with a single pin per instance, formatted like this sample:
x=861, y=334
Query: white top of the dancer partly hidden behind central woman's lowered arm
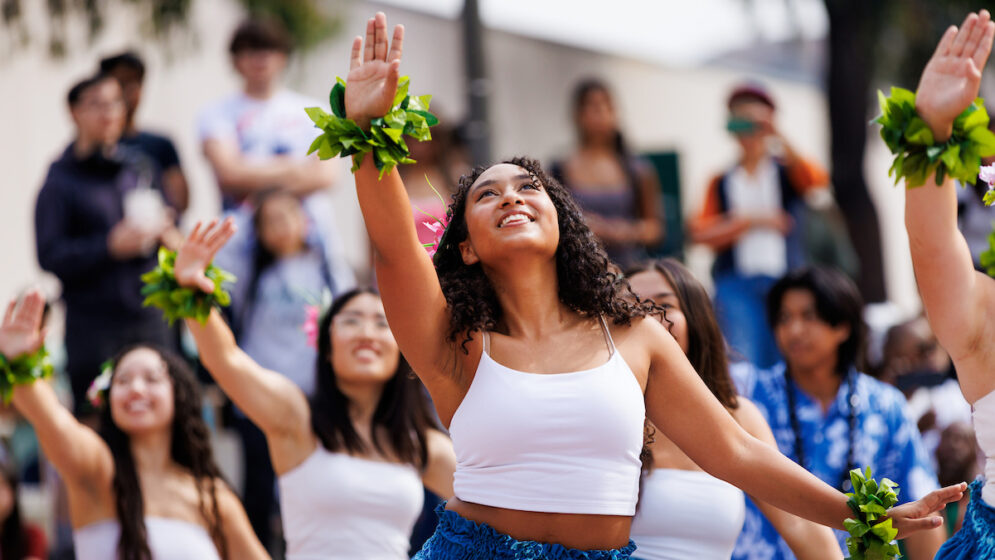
x=687, y=514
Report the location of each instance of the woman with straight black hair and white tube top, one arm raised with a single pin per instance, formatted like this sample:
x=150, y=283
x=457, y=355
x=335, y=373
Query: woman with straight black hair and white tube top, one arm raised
x=351, y=462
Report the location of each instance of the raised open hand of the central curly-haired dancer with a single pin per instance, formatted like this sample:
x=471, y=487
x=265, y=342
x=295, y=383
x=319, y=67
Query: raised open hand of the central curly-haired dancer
x=373, y=72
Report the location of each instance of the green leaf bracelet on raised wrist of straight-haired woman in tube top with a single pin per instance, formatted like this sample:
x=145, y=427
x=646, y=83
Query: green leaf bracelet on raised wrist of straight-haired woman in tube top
x=176, y=302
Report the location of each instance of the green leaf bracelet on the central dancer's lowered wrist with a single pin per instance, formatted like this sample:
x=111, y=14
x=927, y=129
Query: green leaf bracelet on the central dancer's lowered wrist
x=870, y=537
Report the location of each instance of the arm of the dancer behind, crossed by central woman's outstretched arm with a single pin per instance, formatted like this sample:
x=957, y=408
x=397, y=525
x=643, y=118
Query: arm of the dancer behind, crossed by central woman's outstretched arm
x=808, y=540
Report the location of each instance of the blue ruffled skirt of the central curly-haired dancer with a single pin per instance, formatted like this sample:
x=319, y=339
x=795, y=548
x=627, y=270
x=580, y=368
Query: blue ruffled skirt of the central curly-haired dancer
x=458, y=538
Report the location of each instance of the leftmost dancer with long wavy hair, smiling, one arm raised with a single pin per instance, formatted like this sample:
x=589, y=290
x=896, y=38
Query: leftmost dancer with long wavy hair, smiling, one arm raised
x=147, y=486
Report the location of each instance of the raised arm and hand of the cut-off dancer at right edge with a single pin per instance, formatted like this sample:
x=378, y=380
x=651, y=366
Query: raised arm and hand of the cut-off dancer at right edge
x=957, y=299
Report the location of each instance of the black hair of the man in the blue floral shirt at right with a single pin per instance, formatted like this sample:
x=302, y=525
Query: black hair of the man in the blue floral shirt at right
x=837, y=301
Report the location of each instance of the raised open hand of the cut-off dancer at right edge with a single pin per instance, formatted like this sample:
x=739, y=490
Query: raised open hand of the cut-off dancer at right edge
x=950, y=81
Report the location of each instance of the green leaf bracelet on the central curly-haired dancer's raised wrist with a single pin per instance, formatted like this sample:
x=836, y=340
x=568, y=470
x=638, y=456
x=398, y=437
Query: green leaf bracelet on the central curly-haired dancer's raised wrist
x=342, y=136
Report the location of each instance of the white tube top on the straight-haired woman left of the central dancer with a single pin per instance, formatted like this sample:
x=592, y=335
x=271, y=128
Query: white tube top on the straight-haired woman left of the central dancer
x=335, y=506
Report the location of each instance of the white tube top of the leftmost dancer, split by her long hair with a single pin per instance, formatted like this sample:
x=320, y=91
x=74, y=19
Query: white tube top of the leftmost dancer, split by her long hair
x=169, y=539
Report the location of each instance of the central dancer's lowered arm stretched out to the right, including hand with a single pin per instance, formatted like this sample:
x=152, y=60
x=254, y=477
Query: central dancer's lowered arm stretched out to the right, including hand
x=679, y=404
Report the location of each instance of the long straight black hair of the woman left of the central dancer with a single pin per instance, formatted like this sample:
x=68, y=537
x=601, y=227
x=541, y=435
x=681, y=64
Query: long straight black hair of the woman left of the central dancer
x=402, y=411
